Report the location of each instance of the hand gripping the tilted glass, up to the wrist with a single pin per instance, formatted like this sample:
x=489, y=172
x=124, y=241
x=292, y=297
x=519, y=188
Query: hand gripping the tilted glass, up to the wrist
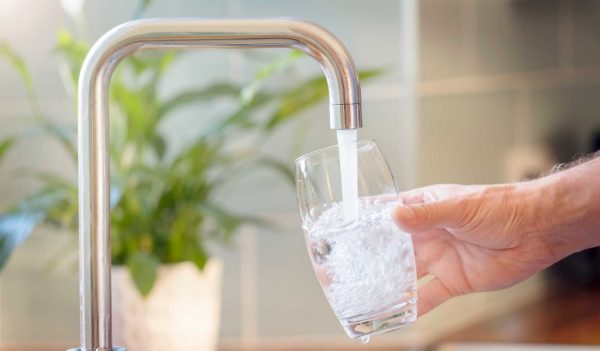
x=476, y=238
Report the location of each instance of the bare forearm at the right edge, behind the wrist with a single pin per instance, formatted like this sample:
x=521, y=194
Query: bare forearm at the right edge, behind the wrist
x=570, y=208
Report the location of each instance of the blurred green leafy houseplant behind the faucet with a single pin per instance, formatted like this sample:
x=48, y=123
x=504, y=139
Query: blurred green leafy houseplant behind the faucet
x=163, y=206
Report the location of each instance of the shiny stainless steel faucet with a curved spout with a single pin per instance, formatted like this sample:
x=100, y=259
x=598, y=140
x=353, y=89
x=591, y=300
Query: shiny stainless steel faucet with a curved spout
x=93, y=138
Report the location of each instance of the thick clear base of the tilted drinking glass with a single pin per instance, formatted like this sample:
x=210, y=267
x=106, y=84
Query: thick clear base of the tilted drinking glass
x=390, y=318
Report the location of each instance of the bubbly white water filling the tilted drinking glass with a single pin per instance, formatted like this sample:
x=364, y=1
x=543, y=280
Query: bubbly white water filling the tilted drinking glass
x=364, y=266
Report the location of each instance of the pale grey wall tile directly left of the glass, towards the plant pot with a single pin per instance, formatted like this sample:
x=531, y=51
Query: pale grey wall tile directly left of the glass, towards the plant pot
x=290, y=300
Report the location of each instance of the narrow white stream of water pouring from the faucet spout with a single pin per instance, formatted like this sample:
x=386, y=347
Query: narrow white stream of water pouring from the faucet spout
x=349, y=171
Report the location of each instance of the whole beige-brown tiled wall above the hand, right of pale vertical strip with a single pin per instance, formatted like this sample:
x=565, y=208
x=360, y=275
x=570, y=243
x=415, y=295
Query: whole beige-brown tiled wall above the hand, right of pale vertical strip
x=500, y=75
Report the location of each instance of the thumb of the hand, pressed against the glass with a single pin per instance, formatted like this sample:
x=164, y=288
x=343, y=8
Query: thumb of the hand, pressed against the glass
x=425, y=217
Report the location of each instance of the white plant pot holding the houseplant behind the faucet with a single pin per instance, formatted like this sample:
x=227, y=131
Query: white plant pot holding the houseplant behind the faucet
x=181, y=313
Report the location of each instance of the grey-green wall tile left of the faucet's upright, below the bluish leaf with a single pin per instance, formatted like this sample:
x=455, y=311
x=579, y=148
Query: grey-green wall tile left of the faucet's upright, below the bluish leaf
x=41, y=306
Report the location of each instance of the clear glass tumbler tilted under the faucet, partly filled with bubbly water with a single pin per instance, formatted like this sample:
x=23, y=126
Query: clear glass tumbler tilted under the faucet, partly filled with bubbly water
x=365, y=266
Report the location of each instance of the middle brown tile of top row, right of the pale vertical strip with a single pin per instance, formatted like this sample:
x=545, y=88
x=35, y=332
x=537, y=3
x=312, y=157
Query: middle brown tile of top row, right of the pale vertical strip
x=517, y=35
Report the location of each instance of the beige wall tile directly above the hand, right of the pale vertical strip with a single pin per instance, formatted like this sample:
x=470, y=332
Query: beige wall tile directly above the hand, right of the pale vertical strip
x=464, y=138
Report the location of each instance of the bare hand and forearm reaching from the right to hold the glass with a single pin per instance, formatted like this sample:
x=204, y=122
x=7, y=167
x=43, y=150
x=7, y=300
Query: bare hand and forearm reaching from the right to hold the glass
x=489, y=237
